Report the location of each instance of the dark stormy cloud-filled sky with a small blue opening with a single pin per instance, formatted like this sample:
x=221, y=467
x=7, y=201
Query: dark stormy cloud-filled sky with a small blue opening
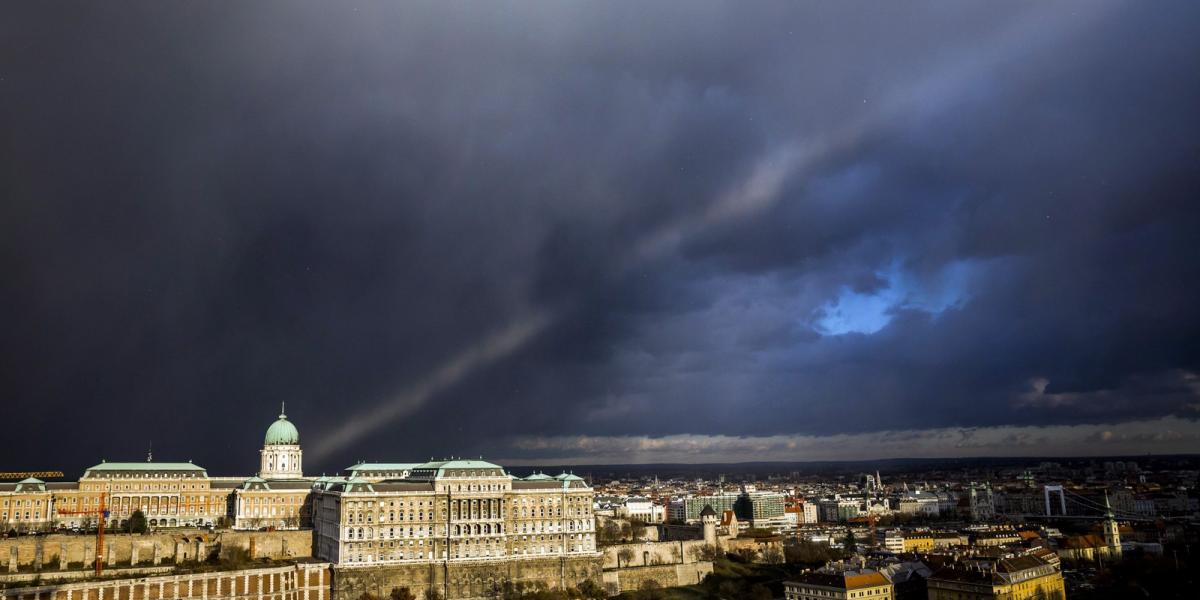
x=598, y=232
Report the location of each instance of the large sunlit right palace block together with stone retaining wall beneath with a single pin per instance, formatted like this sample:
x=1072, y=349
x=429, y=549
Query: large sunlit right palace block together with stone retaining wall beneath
x=458, y=527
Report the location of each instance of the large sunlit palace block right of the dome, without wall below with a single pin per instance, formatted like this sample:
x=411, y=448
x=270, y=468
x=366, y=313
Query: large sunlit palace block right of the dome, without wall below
x=453, y=511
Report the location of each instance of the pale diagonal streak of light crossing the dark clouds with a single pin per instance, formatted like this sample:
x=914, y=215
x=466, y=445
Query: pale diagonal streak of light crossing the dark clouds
x=757, y=193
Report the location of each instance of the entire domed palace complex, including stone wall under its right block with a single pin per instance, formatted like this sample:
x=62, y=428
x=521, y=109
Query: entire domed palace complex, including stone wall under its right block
x=457, y=527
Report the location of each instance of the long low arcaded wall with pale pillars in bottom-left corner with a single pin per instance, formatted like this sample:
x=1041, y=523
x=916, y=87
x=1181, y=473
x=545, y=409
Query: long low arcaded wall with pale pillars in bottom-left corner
x=307, y=581
